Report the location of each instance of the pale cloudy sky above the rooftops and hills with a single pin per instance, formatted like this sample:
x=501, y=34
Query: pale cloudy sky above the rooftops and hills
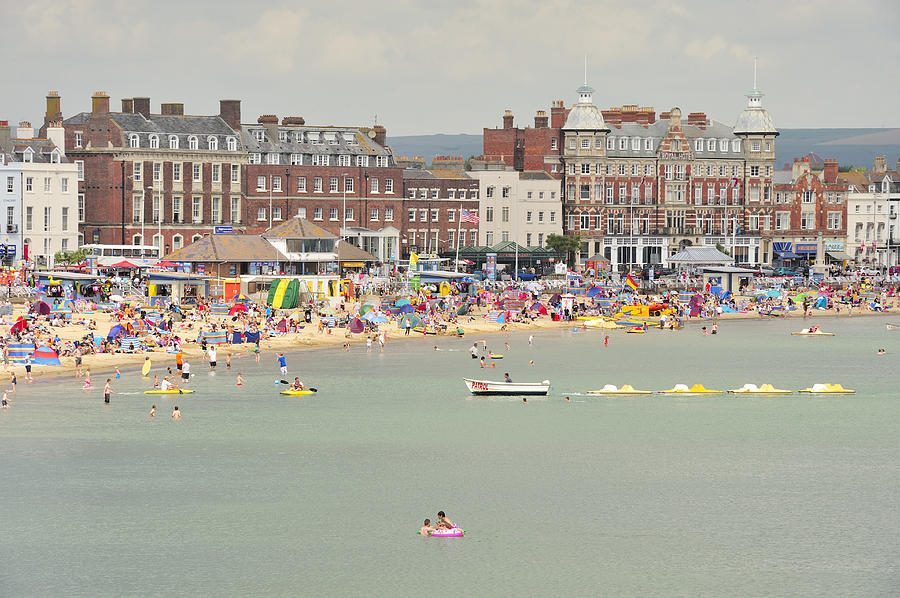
x=422, y=67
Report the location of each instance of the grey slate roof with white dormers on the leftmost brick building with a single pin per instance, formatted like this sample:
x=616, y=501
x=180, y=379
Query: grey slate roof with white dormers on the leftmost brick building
x=164, y=126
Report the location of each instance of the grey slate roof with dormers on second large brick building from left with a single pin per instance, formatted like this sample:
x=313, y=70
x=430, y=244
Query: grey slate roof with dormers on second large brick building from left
x=307, y=139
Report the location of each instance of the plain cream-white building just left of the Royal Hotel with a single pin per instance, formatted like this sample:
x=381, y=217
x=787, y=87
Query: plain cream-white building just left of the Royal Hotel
x=523, y=207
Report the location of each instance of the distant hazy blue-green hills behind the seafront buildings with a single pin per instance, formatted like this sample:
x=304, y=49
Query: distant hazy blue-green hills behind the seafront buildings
x=847, y=146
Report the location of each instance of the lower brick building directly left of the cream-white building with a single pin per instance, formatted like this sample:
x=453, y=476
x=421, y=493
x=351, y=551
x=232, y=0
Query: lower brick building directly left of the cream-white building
x=433, y=202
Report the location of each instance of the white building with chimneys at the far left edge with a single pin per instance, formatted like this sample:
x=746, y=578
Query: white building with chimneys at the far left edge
x=39, y=196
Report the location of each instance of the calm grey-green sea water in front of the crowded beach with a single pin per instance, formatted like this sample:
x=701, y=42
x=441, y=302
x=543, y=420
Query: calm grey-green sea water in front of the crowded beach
x=256, y=494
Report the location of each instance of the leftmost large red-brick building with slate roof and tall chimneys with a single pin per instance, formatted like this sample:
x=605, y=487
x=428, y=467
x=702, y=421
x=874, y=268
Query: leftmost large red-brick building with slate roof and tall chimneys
x=168, y=175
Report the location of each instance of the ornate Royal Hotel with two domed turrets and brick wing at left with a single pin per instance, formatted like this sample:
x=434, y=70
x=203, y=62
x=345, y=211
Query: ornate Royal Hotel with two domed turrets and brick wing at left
x=637, y=187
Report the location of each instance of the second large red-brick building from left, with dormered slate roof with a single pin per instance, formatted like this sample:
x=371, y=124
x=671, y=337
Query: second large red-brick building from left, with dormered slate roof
x=343, y=179
